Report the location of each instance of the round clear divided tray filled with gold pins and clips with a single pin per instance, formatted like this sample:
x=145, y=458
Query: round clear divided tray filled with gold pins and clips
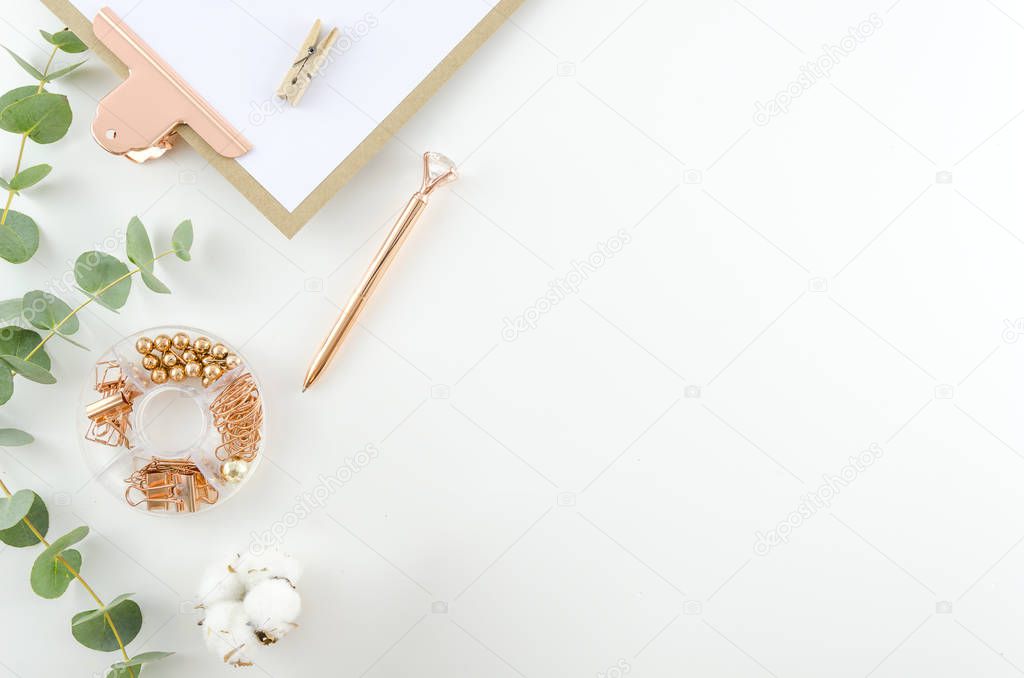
x=182, y=442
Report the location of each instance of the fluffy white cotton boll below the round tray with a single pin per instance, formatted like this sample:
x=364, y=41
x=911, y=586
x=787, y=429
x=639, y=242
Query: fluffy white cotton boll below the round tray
x=248, y=603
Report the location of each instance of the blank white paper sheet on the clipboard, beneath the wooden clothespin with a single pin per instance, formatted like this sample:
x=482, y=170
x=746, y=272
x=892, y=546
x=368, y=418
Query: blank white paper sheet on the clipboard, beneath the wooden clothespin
x=236, y=54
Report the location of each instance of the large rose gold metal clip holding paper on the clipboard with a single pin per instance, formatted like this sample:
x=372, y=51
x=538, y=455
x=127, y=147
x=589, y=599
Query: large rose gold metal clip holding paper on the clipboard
x=139, y=119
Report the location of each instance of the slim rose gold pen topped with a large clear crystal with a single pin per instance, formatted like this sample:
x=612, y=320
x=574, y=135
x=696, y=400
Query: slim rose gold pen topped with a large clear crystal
x=438, y=171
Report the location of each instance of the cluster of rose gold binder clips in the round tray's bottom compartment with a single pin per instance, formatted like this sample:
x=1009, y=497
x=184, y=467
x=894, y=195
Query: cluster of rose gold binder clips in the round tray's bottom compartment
x=170, y=485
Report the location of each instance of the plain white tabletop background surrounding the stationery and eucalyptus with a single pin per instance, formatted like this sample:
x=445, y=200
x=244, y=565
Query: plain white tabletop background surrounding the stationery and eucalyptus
x=587, y=496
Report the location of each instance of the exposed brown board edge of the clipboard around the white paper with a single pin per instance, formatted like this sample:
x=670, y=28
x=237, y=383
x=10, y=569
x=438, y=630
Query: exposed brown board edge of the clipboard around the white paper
x=290, y=223
